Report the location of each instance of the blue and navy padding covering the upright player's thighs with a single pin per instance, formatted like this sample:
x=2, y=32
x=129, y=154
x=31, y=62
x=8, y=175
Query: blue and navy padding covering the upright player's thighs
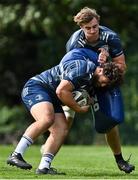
x=108, y=109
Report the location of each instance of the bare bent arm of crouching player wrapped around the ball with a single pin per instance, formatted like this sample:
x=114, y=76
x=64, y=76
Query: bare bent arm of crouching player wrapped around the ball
x=64, y=93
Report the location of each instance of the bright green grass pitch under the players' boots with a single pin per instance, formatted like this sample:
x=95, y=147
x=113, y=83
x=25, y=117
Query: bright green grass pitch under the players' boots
x=78, y=162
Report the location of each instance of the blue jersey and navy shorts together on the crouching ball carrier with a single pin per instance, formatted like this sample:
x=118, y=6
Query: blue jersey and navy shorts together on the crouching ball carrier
x=77, y=66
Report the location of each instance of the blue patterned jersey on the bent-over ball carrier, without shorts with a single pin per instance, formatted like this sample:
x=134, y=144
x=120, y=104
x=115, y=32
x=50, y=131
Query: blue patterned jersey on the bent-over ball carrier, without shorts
x=77, y=66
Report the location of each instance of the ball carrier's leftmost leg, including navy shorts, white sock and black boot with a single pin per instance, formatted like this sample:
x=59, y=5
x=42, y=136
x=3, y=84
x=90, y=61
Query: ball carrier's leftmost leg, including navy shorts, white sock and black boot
x=38, y=102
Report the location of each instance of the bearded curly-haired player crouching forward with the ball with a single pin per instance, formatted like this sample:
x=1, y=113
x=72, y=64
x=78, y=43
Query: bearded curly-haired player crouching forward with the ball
x=44, y=95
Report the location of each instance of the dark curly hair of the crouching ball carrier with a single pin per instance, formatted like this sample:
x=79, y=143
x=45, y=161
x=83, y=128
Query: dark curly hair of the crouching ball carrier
x=114, y=74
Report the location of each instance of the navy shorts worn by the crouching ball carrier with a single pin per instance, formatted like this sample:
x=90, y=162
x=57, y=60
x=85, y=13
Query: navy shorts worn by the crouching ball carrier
x=34, y=92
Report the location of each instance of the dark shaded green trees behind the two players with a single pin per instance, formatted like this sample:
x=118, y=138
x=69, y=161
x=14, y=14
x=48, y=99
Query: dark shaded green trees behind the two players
x=33, y=35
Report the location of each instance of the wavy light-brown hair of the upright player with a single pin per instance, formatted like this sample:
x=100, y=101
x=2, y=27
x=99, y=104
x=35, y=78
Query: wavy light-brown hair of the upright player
x=85, y=15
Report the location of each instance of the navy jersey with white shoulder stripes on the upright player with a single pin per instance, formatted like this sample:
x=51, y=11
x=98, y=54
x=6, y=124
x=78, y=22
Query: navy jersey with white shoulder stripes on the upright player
x=108, y=39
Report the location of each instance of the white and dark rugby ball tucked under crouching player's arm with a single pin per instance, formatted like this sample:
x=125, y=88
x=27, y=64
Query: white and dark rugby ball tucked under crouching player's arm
x=82, y=97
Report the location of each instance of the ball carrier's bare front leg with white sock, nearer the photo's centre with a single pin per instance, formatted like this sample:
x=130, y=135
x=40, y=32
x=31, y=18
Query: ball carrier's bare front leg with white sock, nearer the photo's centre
x=58, y=133
